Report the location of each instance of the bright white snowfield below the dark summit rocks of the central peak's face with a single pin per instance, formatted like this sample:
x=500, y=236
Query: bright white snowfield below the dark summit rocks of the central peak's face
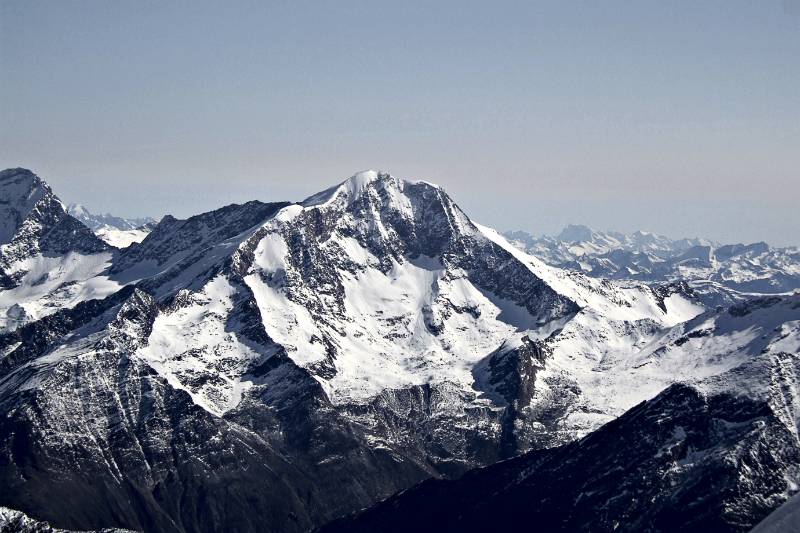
x=389, y=343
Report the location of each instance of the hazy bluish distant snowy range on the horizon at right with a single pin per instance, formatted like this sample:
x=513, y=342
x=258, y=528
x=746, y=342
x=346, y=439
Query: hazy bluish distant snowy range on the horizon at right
x=750, y=268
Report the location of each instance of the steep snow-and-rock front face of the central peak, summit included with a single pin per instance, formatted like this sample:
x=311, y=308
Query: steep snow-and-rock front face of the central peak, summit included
x=380, y=283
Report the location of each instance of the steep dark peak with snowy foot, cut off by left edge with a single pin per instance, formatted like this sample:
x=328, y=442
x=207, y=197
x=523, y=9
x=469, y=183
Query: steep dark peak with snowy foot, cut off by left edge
x=48, y=259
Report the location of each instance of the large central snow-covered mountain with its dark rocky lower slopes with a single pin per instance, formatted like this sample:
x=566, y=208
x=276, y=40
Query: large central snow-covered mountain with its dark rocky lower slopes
x=271, y=366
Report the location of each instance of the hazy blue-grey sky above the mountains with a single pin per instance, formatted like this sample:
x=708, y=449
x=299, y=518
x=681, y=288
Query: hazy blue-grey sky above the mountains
x=681, y=118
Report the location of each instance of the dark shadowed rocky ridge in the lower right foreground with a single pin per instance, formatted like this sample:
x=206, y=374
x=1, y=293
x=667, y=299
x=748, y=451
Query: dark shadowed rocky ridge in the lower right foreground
x=674, y=463
